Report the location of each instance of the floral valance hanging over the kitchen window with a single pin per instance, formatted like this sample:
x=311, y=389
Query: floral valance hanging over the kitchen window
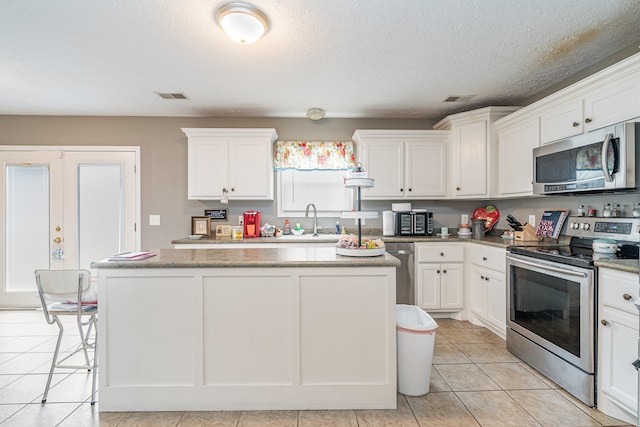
x=314, y=155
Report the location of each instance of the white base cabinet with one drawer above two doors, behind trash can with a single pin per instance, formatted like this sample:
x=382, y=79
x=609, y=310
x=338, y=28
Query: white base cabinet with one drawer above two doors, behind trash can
x=439, y=276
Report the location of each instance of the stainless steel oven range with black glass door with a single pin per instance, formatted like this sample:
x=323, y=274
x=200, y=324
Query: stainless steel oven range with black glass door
x=552, y=301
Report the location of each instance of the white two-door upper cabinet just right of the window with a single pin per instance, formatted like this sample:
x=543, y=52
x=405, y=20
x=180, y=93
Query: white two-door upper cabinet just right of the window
x=409, y=164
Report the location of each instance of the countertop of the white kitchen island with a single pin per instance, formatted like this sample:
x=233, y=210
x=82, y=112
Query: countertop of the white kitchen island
x=251, y=257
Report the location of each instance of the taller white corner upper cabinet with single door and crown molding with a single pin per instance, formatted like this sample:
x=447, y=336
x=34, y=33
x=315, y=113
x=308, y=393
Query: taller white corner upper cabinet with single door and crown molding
x=474, y=151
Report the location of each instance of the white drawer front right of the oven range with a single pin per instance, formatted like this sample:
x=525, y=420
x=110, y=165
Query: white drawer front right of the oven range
x=619, y=290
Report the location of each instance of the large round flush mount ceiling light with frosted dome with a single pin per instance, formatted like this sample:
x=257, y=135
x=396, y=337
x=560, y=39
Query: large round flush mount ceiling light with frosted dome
x=243, y=22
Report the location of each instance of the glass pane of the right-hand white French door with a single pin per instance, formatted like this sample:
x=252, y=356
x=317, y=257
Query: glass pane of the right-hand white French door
x=100, y=211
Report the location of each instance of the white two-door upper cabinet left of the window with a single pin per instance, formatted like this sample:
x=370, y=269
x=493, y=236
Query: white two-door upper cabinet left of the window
x=236, y=163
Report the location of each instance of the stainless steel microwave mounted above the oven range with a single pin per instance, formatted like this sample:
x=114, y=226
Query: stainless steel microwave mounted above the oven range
x=601, y=160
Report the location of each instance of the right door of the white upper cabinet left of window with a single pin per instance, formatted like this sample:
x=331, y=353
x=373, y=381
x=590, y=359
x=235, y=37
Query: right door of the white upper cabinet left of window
x=250, y=169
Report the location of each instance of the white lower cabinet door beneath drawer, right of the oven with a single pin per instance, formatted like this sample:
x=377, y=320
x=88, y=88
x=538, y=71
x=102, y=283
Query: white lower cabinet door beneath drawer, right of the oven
x=618, y=349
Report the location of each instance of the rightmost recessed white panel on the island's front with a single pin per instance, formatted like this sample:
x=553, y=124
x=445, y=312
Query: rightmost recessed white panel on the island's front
x=327, y=336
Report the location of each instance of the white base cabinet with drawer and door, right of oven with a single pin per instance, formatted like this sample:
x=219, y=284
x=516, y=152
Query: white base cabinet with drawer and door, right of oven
x=617, y=344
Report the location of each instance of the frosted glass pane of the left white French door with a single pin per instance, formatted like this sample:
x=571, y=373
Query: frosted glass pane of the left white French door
x=27, y=225
